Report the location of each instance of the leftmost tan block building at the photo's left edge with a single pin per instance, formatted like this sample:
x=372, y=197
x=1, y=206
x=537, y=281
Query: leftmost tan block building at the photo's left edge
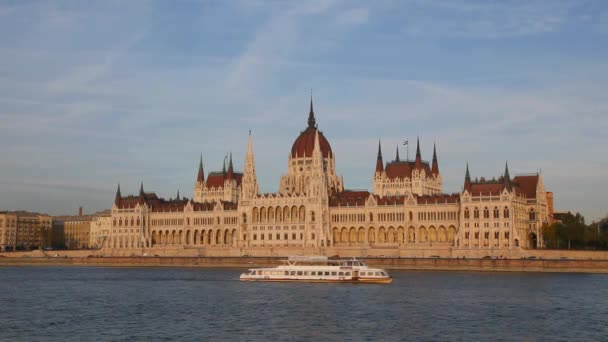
x=24, y=230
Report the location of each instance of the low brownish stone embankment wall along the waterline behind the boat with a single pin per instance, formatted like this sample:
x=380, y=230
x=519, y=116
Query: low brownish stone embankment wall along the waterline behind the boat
x=429, y=264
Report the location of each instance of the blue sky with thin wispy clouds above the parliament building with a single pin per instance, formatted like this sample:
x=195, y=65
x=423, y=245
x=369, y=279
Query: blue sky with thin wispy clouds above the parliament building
x=96, y=93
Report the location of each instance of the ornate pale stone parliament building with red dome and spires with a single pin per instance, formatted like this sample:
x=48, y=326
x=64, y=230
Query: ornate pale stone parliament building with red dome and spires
x=406, y=214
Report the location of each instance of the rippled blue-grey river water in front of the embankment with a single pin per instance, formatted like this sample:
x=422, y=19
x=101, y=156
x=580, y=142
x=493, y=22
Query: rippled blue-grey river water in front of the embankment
x=165, y=304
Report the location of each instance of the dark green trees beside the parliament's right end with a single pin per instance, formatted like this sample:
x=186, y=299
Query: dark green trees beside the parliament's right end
x=571, y=232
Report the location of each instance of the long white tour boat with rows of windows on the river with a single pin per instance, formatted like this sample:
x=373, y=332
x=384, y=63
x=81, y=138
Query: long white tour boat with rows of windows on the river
x=320, y=269
